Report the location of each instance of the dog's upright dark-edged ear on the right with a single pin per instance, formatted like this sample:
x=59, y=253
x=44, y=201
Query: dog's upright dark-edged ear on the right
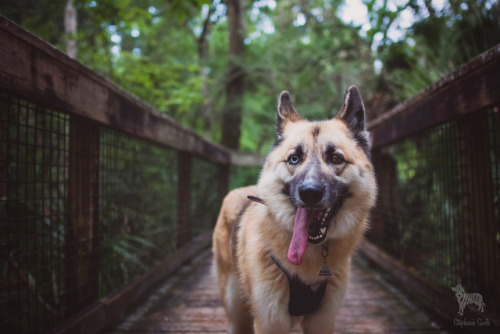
x=353, y=115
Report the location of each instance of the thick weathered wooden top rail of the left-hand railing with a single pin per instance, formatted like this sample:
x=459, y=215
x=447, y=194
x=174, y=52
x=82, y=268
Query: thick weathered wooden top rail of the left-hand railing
x=37, y=71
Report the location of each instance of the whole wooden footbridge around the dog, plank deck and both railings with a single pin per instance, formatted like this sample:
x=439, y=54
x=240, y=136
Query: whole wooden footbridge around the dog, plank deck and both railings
x=107, y=207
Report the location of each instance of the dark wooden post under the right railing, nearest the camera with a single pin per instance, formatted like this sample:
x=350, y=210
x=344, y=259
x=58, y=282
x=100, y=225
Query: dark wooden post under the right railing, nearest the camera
x=477, y=230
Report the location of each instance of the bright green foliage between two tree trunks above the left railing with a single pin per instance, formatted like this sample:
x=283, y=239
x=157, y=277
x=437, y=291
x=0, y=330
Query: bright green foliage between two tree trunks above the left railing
x=141, y=47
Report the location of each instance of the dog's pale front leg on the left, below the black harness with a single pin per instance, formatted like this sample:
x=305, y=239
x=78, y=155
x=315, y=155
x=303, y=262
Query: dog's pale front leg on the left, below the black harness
x=270, y=309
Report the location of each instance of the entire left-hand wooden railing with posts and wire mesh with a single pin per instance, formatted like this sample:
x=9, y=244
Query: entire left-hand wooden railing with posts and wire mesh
x=101, y=196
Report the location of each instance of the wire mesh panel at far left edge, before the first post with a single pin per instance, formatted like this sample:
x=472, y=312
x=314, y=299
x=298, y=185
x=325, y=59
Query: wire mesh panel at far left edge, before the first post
x=33, y=166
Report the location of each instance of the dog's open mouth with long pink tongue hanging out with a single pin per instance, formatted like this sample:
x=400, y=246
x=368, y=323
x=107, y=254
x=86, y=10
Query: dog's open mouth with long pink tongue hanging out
x=310, y=226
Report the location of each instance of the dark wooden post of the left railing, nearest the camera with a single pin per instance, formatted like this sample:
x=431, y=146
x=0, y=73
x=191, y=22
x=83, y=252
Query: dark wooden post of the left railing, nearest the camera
x=82, y=229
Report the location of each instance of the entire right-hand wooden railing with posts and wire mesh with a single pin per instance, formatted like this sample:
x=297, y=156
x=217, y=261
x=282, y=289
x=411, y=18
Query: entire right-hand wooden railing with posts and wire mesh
x=437, y=220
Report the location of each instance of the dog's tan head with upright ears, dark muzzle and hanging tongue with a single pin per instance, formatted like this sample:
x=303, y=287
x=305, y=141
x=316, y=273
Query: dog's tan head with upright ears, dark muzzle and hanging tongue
x=318, y=180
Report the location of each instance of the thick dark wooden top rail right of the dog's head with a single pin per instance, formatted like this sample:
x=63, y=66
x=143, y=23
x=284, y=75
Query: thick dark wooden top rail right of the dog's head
x=472, y=87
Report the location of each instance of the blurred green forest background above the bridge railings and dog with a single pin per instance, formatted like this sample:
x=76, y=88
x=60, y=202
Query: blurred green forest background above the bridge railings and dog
x=218, y=66
